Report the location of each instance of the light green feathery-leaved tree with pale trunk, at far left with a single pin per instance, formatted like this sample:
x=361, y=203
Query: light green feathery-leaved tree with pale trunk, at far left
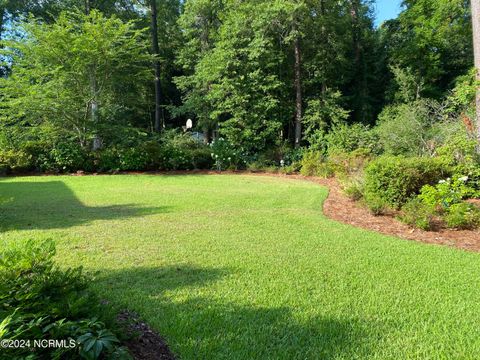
x=51, y=80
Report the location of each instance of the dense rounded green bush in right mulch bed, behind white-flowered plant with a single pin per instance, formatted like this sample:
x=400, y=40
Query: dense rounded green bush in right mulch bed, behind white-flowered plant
x=394, y=180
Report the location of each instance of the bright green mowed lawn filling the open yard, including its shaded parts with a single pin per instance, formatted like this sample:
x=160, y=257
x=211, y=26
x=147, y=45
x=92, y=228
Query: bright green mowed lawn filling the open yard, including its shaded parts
x=243, y=267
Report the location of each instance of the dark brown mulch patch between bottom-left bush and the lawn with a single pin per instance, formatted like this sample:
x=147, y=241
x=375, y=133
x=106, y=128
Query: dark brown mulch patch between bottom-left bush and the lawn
x=144, y=343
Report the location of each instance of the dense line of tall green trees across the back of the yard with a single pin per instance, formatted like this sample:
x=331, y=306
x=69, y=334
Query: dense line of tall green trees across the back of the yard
x=82, y=77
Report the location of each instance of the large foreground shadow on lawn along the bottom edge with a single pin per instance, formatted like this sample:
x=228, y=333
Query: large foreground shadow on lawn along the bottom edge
x=199, y=327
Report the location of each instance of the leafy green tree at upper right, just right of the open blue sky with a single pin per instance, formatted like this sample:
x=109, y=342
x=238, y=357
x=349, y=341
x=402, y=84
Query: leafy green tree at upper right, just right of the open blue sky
x=433, y=39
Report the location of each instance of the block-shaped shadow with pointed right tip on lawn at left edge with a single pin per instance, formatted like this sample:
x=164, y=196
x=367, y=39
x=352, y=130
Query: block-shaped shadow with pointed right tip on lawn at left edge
x=50, y=205
